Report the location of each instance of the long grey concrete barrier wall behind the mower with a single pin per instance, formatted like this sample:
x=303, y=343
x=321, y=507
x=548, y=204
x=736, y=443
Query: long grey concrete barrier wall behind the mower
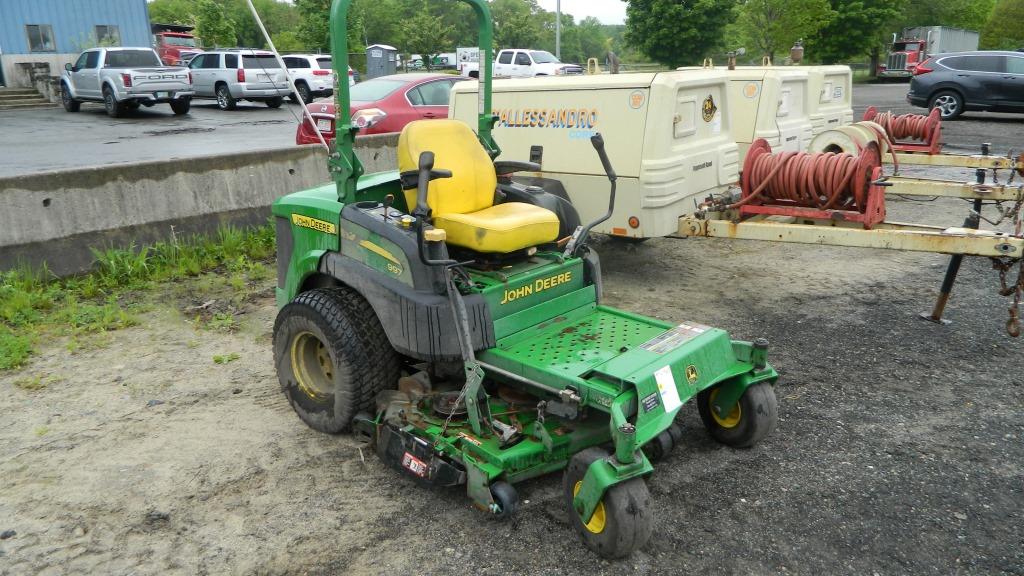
x=58, y=217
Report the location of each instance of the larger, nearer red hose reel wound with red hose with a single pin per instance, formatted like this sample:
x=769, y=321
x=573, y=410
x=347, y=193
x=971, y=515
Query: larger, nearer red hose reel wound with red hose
x=826, y=186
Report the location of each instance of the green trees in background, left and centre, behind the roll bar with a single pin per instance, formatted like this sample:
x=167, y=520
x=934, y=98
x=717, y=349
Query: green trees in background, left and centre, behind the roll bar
x=421, y=27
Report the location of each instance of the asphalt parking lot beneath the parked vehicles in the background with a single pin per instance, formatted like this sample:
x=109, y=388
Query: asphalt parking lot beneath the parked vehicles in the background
x=37, y=141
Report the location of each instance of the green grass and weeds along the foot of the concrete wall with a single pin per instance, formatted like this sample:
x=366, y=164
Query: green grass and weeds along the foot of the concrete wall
x=35, y=304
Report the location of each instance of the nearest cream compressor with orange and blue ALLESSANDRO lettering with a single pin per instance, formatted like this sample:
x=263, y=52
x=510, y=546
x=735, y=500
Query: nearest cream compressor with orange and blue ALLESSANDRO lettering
x=667, y=135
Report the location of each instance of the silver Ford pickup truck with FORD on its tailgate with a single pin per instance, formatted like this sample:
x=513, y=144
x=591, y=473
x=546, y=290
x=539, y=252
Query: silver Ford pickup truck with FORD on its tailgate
x=124, y=79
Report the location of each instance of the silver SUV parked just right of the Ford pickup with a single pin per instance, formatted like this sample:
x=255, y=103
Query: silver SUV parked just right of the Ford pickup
x=230, y=76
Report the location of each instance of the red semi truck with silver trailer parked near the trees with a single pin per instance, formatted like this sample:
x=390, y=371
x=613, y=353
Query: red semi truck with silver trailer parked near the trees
x=917, y=45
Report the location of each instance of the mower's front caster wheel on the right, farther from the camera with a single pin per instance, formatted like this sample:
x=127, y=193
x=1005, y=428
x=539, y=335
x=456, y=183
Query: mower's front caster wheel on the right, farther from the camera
x=750, y=422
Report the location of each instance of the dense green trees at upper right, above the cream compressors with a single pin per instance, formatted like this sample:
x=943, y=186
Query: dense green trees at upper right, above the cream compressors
x=684, y=32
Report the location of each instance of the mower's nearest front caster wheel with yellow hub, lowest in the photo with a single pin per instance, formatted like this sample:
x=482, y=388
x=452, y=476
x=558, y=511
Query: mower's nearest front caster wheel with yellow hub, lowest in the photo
x=623, y=521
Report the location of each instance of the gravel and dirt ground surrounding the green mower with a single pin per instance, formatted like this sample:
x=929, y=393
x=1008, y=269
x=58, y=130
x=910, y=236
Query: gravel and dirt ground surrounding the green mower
x=900, y=448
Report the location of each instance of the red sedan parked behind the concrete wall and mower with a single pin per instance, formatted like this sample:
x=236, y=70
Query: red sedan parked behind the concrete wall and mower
x=402, y=98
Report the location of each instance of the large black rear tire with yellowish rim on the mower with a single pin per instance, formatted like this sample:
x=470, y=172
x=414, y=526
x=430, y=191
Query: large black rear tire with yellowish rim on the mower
x=332, y=357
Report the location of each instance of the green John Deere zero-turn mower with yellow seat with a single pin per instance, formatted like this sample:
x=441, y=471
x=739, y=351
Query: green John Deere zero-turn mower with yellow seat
x=453, y=318
